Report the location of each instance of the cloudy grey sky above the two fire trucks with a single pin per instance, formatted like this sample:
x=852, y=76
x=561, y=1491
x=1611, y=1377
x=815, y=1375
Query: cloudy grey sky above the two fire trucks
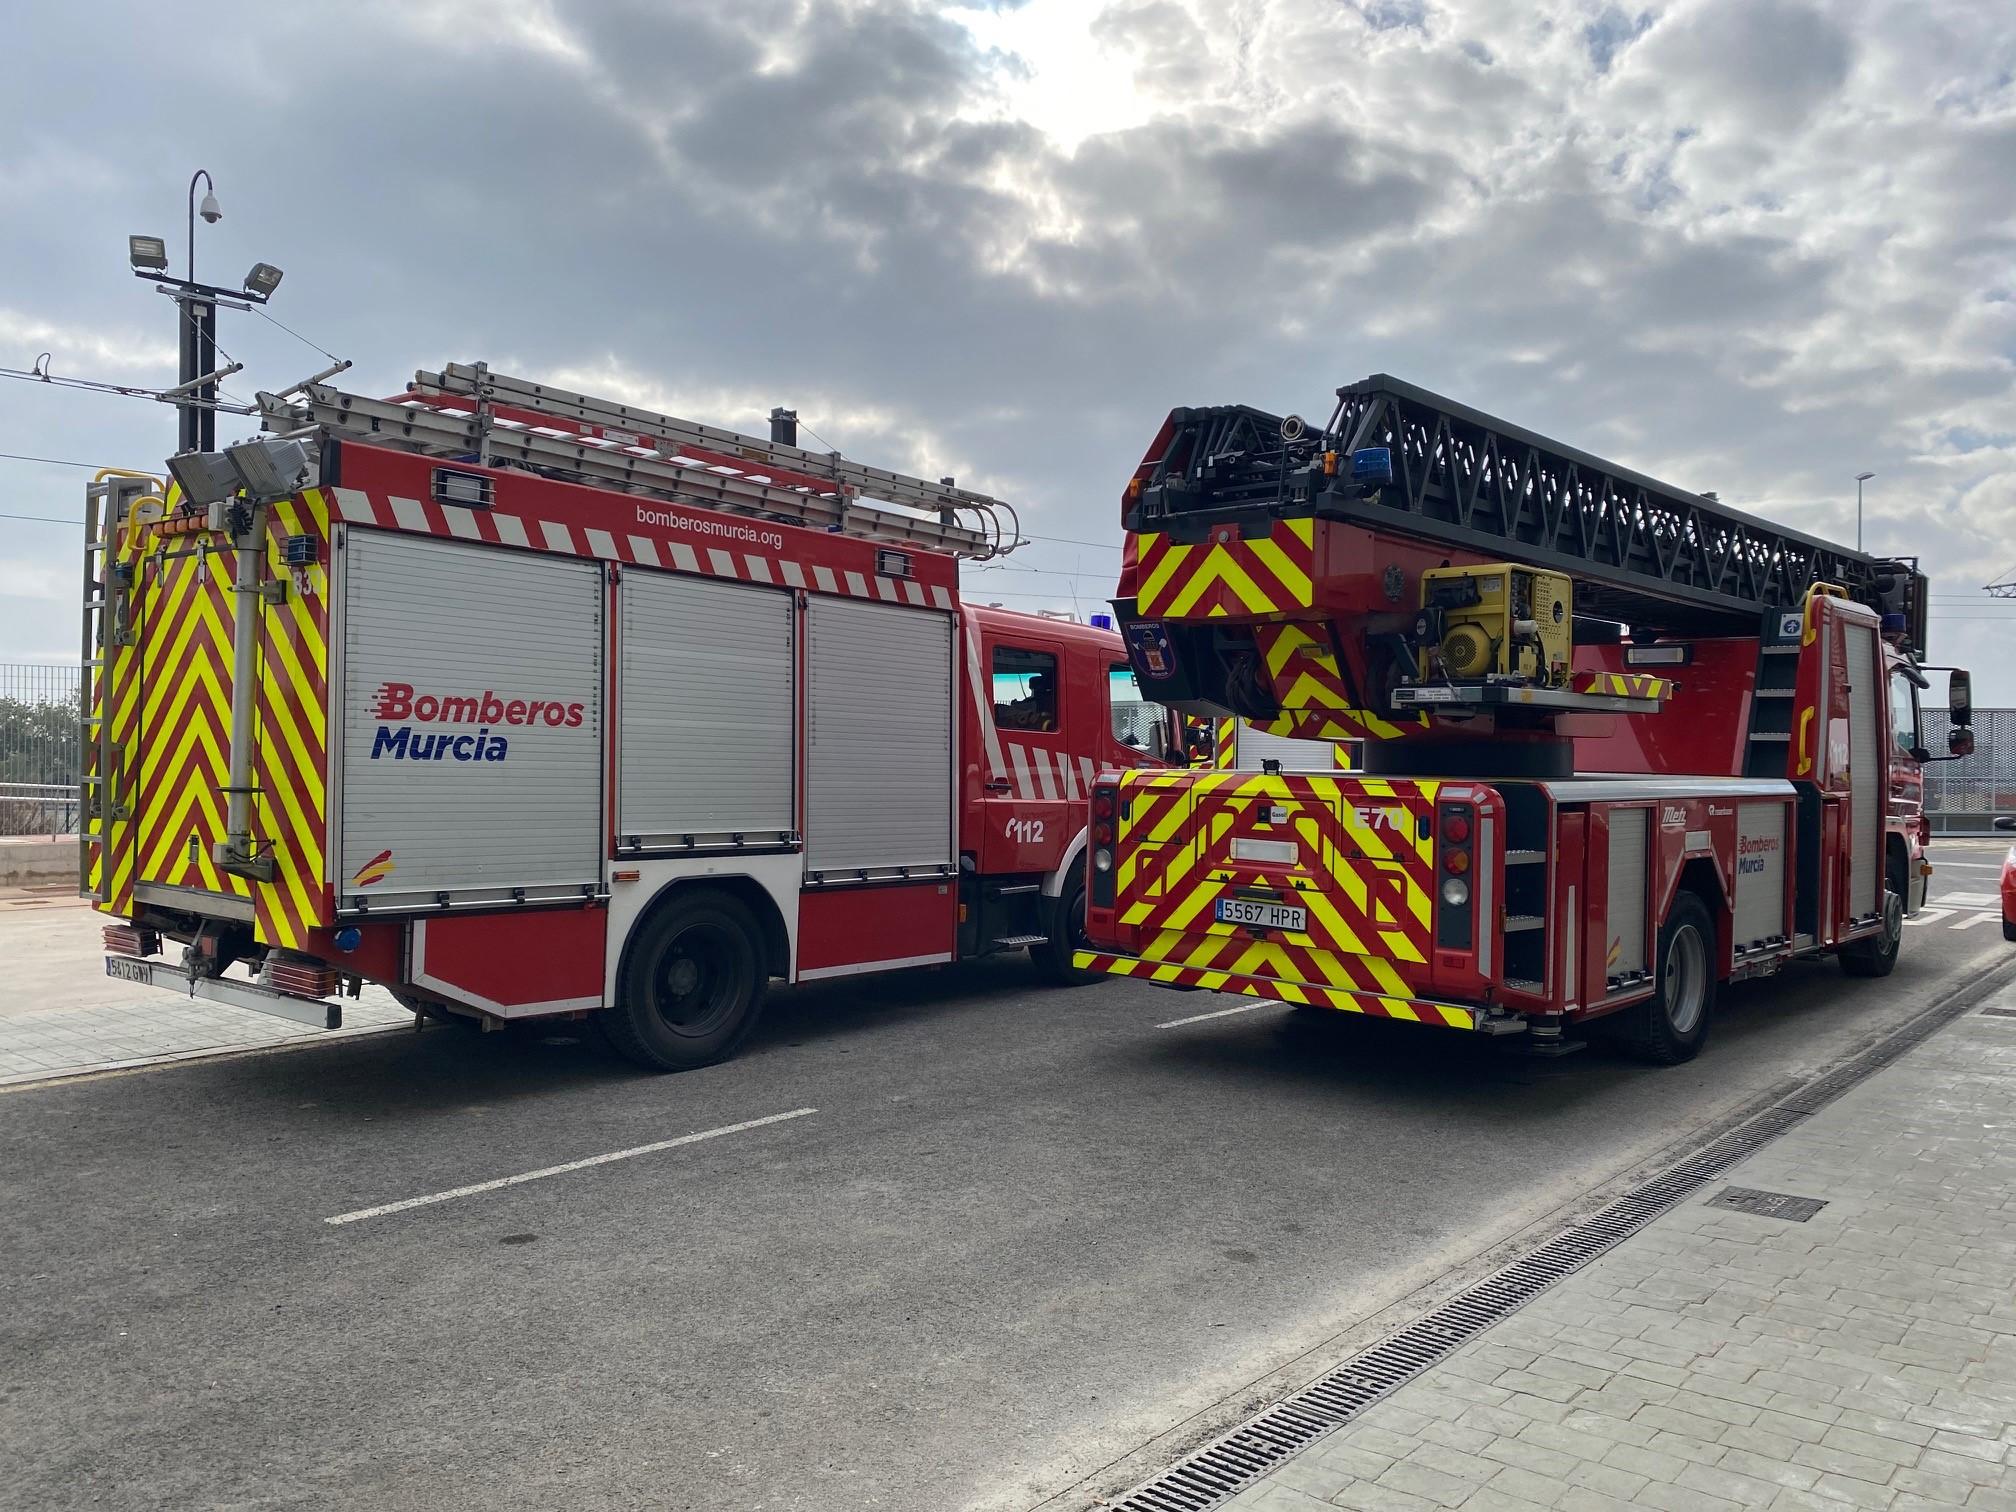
x=1743, y=245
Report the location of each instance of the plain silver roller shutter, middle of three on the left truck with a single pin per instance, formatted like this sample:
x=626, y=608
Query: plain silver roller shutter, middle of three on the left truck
x=705, y=717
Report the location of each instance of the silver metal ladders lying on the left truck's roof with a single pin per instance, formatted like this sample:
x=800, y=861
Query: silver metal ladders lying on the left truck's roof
x=469, y=412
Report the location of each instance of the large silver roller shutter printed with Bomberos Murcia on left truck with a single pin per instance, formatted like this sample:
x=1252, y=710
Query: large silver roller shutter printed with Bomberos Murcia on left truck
x=469, y=791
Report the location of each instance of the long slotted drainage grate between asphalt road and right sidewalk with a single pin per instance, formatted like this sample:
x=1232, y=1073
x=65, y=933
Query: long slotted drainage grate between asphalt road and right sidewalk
x=1221, y=1471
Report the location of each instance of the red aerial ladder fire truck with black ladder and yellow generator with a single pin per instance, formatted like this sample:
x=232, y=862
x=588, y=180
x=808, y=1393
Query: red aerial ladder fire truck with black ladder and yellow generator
x=1618, y=743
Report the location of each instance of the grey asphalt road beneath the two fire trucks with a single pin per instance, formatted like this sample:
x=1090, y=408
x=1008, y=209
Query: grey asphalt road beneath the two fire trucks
x=1023, y=1235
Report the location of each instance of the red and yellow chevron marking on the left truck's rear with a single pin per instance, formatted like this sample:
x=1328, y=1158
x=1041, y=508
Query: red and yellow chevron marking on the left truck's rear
x=170, y=723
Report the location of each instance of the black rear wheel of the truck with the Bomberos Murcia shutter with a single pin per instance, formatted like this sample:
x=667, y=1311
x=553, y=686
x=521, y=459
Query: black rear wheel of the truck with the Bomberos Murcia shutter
x=692, y=985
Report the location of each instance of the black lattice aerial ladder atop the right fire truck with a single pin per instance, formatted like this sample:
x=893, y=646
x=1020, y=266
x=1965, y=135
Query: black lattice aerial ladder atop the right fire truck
x=1640, y=551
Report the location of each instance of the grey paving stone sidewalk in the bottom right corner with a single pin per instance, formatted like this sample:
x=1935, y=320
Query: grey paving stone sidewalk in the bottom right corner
x=1719, y=1360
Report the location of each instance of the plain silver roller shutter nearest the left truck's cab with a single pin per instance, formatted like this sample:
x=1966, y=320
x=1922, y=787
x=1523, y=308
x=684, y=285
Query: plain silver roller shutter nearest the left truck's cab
x=878, y=741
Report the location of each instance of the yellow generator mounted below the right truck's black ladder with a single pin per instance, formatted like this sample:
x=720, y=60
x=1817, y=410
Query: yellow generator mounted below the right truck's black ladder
x=1495, y=622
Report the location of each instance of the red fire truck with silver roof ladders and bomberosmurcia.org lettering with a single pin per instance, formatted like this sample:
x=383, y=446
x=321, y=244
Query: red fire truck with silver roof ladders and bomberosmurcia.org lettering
x=531, y=705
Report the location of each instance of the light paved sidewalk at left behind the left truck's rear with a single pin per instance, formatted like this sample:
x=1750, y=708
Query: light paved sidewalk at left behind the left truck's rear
x=61, y=1017
